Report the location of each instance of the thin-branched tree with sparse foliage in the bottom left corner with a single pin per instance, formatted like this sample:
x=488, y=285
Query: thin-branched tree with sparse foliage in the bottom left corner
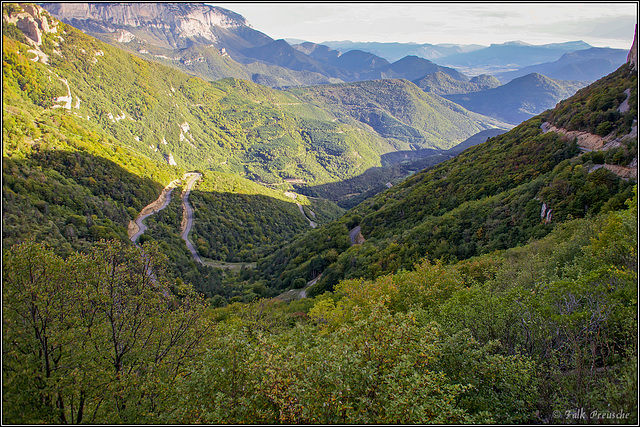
x=93, y=338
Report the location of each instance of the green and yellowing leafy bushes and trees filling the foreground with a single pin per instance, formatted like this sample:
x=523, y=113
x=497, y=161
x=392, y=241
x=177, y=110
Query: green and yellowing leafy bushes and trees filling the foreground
x=510, y=337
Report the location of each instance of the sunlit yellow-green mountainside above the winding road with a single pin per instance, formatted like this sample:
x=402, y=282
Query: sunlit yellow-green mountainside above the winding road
x=232, y=125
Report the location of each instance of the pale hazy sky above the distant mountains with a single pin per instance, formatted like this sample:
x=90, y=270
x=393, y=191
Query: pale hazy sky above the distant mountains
x=601, y=24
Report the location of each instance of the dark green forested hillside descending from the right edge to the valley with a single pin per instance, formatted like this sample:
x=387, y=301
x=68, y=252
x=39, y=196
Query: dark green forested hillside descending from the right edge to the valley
x=500, y=194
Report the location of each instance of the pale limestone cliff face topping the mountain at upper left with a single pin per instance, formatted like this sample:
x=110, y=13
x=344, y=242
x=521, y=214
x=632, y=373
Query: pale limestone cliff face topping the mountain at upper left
x=182, y=20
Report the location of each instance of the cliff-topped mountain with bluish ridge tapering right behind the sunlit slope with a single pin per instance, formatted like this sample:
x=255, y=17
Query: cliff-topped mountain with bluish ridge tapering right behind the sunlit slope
x=215, y=43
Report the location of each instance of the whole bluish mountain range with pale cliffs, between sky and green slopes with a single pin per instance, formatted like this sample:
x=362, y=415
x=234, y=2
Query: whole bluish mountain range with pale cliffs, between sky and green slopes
x=215, y=43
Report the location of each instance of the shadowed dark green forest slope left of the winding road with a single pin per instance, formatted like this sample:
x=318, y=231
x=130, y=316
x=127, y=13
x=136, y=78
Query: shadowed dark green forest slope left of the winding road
x=50, y=196
